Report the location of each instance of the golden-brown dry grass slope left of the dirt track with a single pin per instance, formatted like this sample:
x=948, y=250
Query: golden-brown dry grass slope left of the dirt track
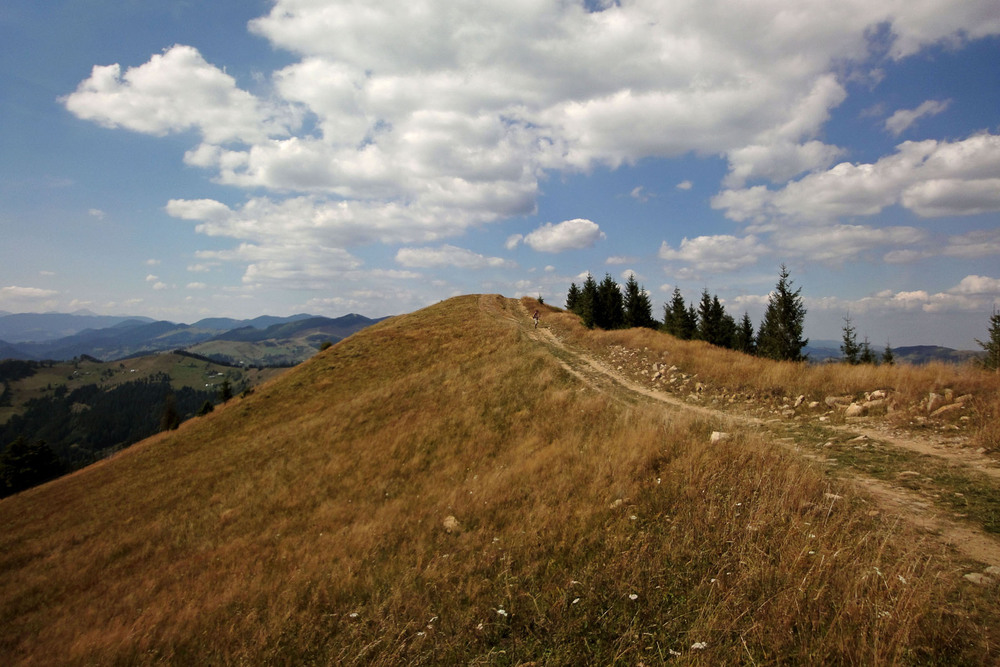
x=438, y=490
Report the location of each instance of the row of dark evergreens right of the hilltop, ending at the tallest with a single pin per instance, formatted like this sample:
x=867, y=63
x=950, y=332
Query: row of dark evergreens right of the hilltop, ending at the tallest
x=605, y=305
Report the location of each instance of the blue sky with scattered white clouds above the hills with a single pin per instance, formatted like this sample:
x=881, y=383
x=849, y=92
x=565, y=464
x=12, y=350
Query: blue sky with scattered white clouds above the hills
x=183, y=158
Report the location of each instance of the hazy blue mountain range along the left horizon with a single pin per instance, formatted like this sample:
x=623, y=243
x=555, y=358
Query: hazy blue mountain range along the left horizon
x=265, y=340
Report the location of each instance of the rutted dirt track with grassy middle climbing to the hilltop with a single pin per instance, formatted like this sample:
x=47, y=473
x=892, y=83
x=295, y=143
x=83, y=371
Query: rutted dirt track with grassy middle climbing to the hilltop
x=900, y=495
